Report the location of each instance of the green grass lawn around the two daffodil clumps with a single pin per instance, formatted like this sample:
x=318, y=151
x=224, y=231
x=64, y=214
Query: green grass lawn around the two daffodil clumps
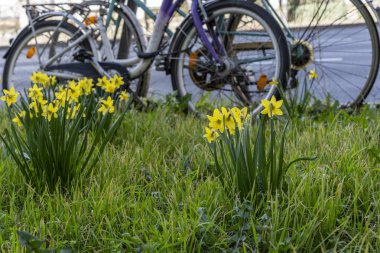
x=153, y=192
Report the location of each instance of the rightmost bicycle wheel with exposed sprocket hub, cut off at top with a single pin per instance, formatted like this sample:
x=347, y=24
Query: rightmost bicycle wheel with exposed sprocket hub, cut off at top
x=338, y=39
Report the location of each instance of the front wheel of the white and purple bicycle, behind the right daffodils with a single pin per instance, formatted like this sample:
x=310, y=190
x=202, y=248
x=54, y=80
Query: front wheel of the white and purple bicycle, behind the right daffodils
x=256, y=51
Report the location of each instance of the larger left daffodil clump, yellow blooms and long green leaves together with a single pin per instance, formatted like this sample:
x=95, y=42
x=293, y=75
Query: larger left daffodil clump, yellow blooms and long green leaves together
x=62, y=128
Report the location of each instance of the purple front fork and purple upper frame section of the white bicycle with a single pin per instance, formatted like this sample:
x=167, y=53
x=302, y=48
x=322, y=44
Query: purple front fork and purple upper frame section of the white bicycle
x=167, y=11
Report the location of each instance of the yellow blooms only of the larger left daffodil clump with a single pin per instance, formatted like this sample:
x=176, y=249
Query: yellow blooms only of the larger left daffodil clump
x=48, y=100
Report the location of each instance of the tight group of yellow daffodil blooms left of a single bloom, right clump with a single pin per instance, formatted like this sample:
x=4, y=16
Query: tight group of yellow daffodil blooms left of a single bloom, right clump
x=225, y=120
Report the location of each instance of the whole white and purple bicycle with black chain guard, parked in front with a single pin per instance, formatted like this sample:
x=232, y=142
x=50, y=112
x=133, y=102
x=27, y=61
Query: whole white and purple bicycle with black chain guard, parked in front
x=220, y=44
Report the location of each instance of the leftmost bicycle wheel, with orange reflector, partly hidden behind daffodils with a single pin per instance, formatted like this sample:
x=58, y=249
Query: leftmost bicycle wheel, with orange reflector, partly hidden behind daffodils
x=30, y=52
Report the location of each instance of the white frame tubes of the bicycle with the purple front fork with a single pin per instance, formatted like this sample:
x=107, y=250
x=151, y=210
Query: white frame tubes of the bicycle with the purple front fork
x=138, y=65
